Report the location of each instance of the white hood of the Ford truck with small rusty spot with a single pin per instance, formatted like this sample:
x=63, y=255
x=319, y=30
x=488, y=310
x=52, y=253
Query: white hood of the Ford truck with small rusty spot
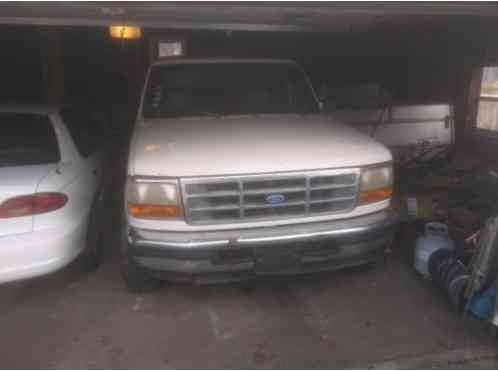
x=226, y=145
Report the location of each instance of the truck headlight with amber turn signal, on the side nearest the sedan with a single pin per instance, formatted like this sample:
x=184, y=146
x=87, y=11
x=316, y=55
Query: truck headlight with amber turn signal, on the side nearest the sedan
x=153, y=200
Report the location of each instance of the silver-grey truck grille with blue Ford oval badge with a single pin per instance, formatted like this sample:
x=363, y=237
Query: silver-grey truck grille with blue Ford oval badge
x=231, y=199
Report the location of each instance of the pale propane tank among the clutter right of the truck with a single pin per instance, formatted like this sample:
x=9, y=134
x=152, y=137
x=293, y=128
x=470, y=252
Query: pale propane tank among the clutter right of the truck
x=435, y=237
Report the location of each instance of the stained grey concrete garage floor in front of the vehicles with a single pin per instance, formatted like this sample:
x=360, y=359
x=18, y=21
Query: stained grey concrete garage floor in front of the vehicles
x=381, y=317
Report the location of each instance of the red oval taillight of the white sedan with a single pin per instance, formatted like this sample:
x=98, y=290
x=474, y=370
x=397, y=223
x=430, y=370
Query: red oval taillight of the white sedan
x=37, y=203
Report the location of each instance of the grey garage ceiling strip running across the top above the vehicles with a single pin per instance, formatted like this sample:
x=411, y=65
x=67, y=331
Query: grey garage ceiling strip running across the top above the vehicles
x=303, y=17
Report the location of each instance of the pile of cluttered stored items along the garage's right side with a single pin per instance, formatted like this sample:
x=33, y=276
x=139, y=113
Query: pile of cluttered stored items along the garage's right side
x=449, y=231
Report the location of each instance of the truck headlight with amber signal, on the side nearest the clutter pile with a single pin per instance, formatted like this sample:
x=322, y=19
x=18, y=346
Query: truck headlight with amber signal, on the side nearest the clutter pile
x=376, y=184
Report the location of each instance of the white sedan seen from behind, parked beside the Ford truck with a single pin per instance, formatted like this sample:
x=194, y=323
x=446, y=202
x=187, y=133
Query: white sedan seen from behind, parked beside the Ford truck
x=50, y=181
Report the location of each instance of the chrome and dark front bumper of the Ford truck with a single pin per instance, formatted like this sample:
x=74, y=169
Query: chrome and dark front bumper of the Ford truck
x=244, y=253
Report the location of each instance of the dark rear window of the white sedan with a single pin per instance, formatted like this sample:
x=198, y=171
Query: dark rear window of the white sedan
x=27, y=139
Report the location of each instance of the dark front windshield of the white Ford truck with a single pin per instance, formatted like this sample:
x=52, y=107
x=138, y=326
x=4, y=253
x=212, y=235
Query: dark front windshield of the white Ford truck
x=227, y=88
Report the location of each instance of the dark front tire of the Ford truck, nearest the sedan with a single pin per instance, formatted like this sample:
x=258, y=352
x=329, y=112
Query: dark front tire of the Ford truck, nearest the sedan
x=136, y=278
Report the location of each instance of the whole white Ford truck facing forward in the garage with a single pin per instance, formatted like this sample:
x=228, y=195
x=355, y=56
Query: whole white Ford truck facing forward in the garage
x=234, y=173
